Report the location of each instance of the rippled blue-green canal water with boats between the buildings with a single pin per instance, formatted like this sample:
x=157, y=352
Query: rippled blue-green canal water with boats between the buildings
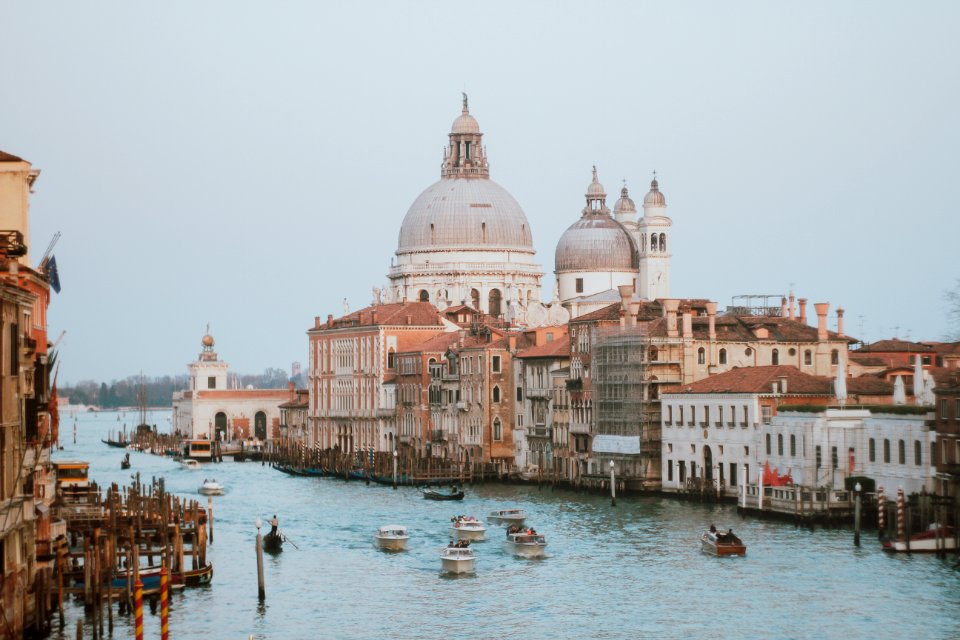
x=630, y=571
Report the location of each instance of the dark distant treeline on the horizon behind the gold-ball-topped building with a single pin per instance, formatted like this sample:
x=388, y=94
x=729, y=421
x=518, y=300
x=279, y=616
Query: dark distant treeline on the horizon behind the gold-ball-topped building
x=159, y=390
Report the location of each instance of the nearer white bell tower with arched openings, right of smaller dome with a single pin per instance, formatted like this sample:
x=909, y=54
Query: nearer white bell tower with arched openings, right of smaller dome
x=653, y=240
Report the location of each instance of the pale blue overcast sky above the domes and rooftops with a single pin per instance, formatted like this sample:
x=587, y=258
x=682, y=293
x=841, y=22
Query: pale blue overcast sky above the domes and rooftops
x=249, y=164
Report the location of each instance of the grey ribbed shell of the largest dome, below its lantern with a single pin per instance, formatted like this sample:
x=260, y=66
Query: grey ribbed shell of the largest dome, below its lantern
x=465, y=214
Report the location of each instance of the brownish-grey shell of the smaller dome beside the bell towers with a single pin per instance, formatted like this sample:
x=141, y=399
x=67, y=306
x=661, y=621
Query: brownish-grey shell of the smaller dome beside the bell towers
x=596, y=243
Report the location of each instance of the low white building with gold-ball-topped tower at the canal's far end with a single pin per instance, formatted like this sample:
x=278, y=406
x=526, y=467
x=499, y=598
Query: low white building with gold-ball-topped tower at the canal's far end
x=210, y=410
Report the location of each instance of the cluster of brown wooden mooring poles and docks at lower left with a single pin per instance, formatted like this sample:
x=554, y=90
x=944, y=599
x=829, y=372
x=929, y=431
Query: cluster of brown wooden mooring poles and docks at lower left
x=109, y=538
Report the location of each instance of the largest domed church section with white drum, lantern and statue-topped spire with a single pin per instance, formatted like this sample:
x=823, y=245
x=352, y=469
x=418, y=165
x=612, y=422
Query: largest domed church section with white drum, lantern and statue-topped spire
x=465, y=240
